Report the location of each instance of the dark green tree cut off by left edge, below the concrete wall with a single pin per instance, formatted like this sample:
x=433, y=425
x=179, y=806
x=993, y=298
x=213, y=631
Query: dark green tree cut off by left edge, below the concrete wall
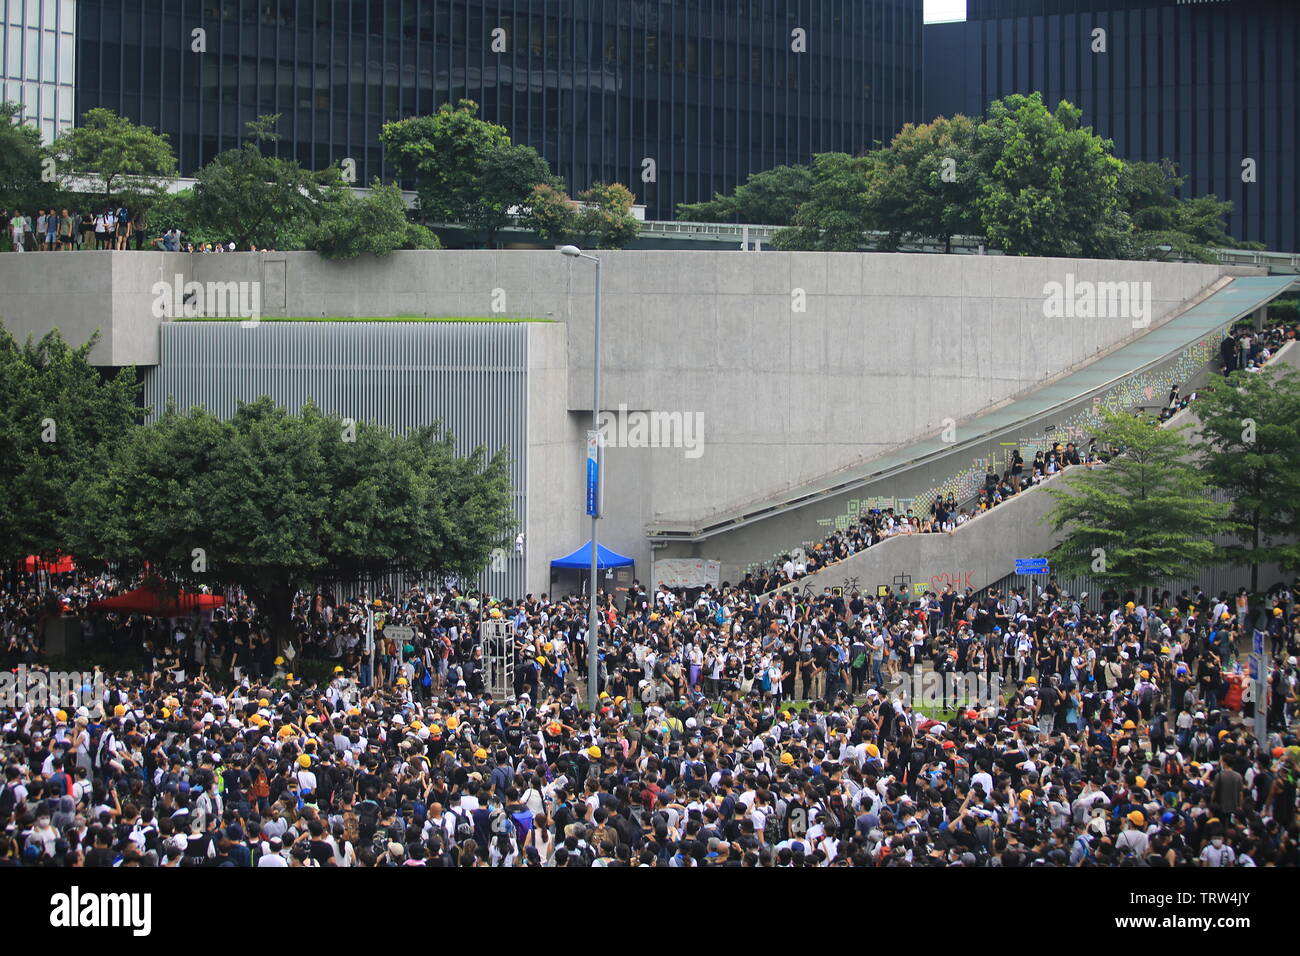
x=59, y=419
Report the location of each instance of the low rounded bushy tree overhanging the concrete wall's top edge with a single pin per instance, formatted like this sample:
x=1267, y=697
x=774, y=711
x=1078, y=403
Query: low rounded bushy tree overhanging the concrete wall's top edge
x=376, y=226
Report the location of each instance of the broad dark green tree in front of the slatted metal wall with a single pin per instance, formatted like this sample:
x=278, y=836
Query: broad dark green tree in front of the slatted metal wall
x=278, y=503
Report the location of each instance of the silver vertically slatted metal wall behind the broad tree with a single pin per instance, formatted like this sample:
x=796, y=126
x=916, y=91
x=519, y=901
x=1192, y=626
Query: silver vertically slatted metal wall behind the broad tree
x=474, y=377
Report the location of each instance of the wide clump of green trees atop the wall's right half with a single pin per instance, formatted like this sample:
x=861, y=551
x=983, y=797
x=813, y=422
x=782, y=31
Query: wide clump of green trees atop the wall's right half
x=1024, y=179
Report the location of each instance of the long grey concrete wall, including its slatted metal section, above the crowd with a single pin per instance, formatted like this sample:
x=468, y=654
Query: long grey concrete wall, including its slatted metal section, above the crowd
x=801, y=365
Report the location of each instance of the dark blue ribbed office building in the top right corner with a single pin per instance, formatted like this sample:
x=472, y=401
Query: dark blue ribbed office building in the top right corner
x=1208, y=84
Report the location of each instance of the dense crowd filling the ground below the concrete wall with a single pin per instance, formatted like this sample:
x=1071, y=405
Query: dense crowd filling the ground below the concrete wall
x=733, y=730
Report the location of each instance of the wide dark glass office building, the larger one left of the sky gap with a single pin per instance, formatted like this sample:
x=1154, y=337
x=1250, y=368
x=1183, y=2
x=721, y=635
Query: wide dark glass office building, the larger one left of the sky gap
x=675, y=98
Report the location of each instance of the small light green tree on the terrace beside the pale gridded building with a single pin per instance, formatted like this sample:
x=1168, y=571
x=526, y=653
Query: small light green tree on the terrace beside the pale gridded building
x=112, y=159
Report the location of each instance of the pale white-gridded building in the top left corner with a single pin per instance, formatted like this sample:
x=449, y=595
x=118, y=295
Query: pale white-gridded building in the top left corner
x=38, y=59
